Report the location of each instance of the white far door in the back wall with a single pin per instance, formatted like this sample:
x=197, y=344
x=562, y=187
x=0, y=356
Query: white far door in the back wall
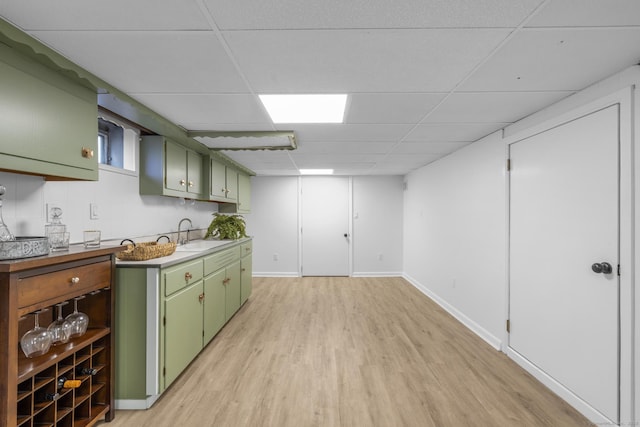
x=325, y=226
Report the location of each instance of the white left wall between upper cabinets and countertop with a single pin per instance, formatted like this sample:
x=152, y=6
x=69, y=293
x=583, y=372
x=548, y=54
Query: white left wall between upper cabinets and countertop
x=123, y=213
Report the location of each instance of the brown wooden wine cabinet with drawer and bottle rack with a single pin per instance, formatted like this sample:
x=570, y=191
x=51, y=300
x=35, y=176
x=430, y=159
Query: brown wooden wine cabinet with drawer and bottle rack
x=36, y=393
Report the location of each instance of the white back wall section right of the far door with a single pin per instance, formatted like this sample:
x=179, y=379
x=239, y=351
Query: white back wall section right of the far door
x=377, y=231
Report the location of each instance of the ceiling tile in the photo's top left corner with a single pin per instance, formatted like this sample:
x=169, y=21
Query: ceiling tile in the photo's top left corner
x=112, y=15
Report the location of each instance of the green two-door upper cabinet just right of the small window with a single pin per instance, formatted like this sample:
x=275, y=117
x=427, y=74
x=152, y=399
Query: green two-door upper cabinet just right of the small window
x=169, y=169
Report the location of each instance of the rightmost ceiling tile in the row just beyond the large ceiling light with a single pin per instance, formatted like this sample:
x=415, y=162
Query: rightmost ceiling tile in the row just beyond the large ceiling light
x=457, y=132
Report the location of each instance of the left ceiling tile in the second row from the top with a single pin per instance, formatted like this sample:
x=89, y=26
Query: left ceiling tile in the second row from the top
x=151, y=62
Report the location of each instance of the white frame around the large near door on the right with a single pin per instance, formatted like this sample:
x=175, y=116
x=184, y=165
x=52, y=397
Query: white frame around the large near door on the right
x=626, y=394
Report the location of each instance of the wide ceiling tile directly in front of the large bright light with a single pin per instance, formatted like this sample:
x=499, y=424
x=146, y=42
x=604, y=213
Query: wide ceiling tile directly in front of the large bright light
x=359, y=60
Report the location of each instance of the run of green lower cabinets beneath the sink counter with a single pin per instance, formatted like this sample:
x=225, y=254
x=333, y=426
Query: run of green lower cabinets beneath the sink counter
x=166, y=315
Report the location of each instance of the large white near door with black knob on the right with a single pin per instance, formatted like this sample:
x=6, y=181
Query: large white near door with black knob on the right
x=564, y=212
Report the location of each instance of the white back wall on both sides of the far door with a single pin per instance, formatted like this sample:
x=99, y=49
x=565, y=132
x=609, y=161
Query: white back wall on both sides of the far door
x=274, y=224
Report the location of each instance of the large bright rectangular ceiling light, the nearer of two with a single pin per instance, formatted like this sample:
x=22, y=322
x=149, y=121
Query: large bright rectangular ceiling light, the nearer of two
x=305, y=108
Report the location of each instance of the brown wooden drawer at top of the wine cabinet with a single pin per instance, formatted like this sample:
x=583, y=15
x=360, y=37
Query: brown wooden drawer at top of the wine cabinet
x=63, y=284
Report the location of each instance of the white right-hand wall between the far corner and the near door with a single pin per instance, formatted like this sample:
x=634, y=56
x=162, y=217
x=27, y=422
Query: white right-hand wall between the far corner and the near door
x=454, y=234
